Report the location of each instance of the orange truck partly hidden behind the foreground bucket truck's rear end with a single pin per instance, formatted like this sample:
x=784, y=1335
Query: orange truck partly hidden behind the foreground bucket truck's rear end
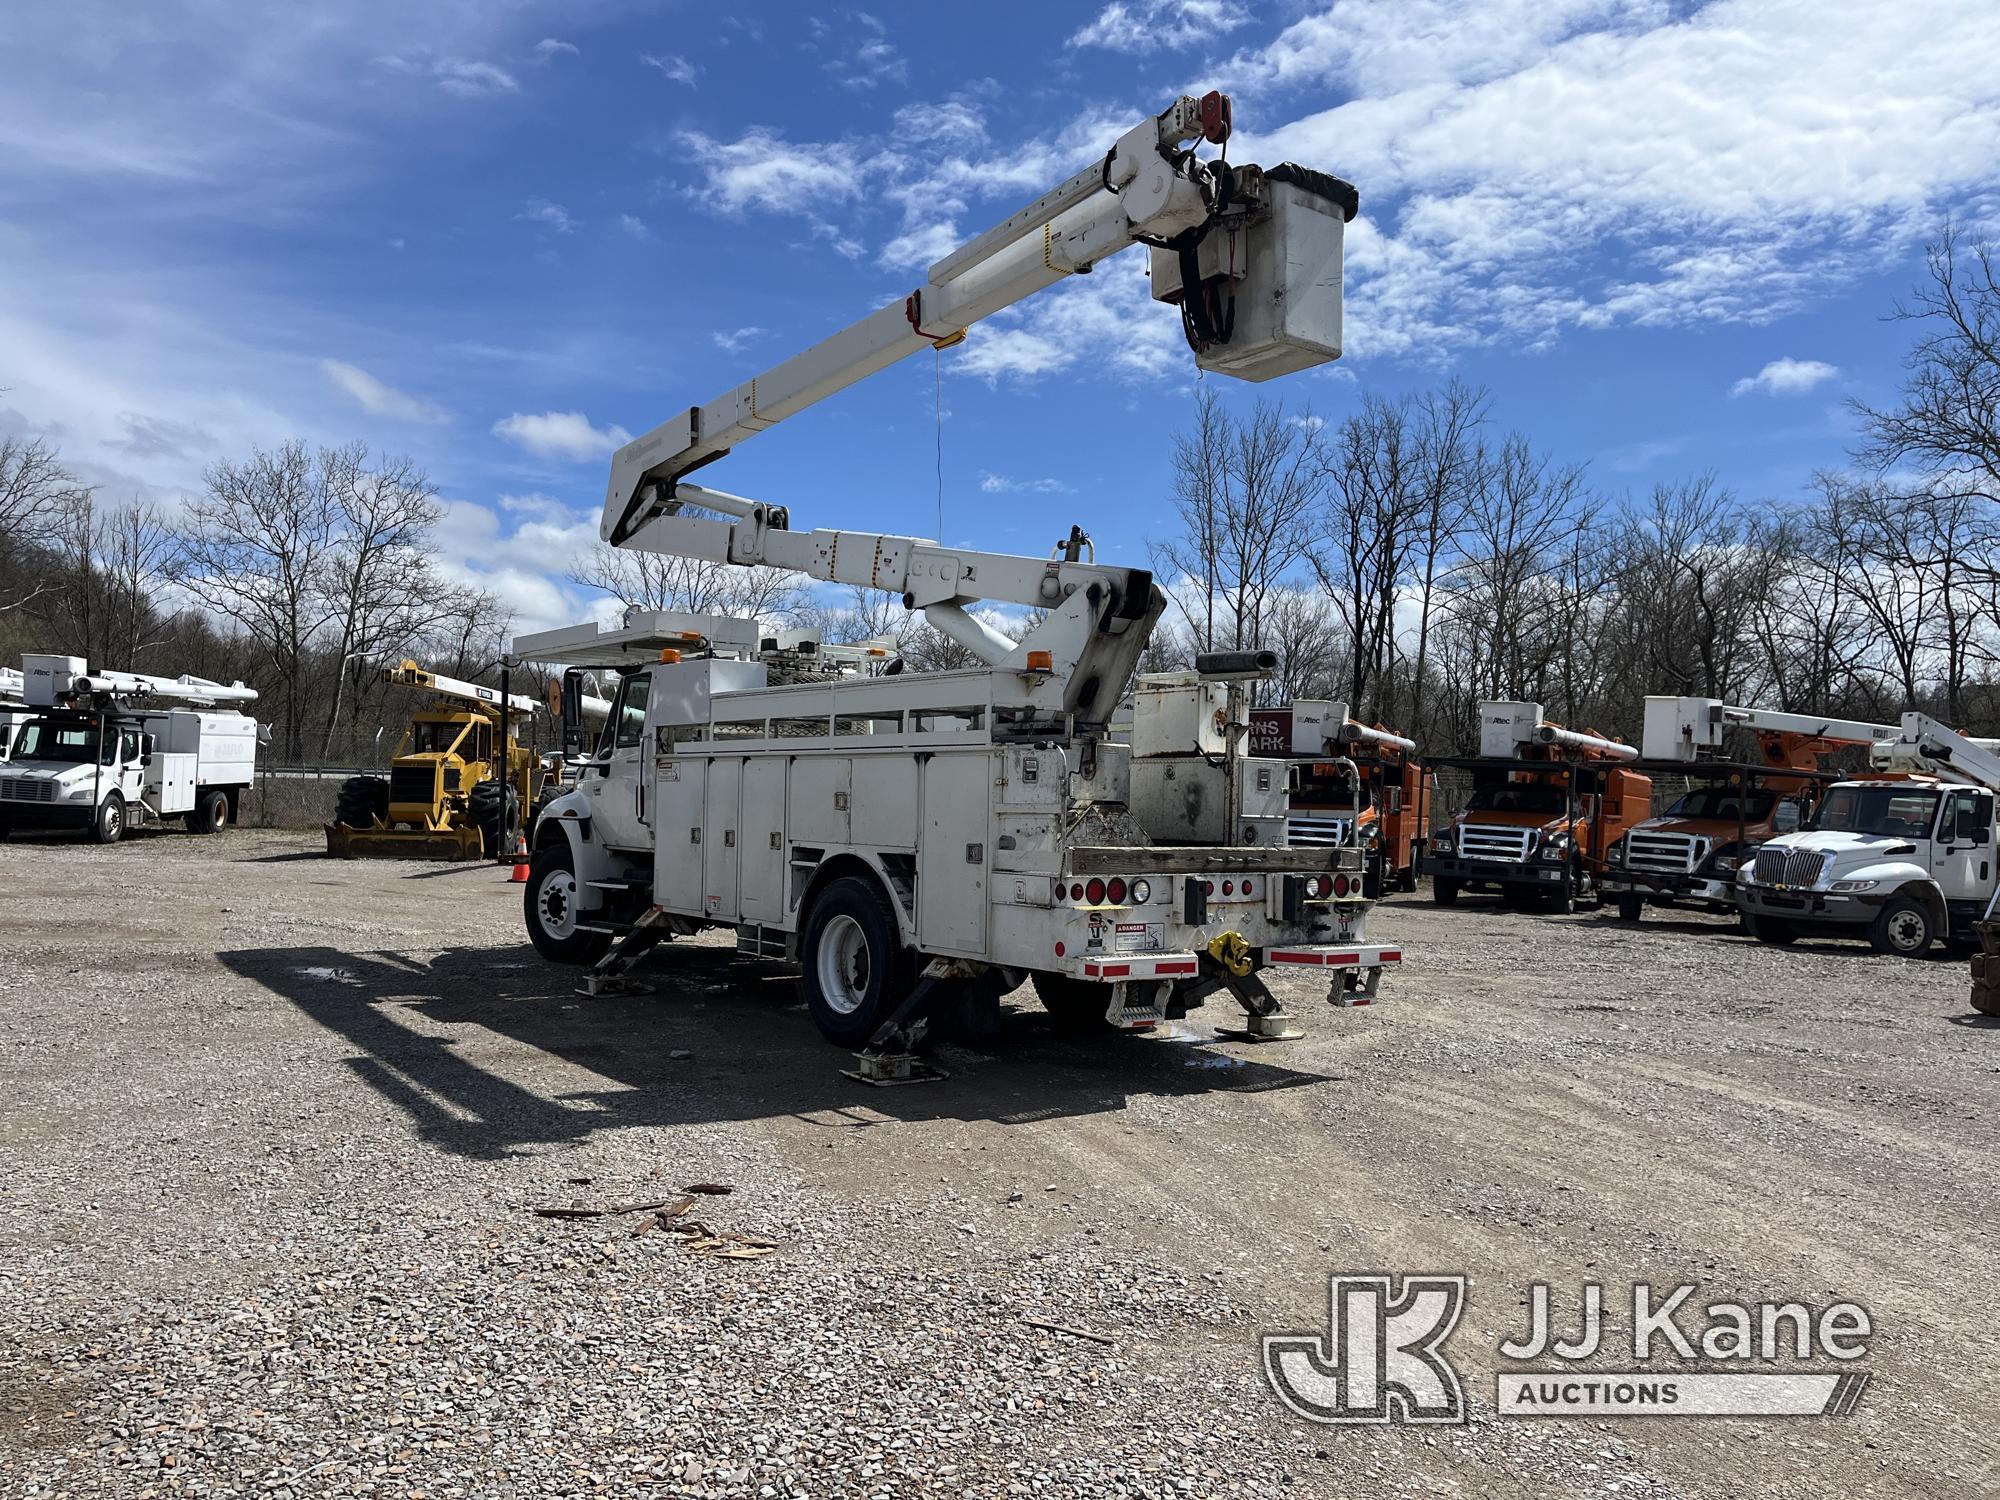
x=1351, y=783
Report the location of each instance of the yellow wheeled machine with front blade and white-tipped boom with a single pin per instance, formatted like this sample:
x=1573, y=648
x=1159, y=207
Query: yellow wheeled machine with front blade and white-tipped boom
x=457, y=785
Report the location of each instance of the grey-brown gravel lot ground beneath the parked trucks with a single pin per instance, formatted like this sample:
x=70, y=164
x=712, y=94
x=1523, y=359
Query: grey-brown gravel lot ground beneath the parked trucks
x=275, y=1131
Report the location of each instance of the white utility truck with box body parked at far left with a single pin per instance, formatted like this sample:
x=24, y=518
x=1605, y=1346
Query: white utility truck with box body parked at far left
x=111, y=751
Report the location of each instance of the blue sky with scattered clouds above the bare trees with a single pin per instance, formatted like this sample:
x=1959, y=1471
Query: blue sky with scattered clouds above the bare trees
x=499, y=235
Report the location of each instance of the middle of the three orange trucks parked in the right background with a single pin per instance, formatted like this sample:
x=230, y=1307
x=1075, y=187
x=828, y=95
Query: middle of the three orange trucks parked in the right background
x=1547, y=807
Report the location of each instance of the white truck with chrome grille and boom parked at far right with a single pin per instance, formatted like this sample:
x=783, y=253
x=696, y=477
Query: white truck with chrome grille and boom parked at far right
x=1905, y=859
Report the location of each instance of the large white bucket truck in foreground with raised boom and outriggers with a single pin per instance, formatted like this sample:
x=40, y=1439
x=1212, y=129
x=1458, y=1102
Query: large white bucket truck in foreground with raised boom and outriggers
x=977, y=827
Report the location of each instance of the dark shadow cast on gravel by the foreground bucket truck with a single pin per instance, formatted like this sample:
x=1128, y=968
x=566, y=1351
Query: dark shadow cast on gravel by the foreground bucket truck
x=755, y=1053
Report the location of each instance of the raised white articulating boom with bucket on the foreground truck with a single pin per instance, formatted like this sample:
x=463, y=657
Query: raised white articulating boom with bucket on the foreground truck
x=1253, y=261
